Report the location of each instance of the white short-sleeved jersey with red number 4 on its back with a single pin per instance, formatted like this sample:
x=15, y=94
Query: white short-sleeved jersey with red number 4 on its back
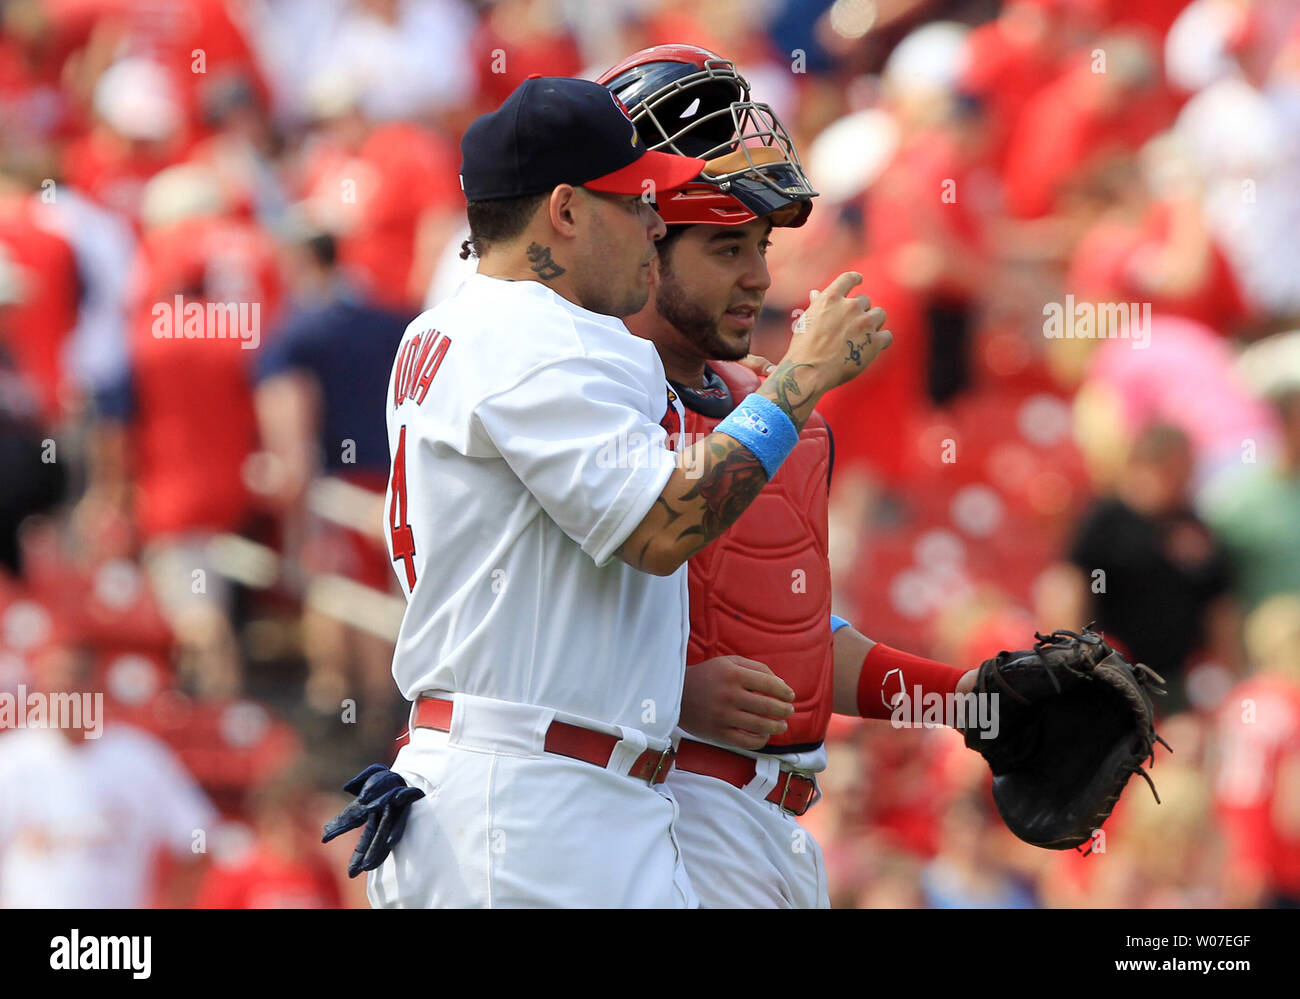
x=527, y=444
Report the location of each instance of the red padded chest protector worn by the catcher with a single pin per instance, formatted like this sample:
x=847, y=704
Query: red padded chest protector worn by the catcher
x=764, y=589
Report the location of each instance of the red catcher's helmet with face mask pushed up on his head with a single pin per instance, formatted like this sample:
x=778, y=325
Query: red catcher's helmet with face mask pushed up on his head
x=692, y=102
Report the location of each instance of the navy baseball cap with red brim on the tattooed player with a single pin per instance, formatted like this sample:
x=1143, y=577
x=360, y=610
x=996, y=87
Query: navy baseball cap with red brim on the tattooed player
x=557, y=131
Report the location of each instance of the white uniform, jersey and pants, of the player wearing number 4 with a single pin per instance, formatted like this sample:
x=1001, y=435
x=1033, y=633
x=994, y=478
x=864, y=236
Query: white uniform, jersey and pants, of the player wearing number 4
x=527, y=446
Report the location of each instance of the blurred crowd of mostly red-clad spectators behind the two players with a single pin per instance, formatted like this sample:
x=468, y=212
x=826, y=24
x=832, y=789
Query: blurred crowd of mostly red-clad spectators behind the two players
x=192, y=524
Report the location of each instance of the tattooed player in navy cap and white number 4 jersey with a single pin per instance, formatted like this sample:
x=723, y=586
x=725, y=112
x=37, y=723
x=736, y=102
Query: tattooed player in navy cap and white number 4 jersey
x=539, y=526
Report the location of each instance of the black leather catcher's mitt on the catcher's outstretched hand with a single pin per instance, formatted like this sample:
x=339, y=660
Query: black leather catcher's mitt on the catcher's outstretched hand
x=1074, y=724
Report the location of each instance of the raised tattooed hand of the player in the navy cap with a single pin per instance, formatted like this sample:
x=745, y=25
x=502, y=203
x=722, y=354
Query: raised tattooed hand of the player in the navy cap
x=840, y=335
